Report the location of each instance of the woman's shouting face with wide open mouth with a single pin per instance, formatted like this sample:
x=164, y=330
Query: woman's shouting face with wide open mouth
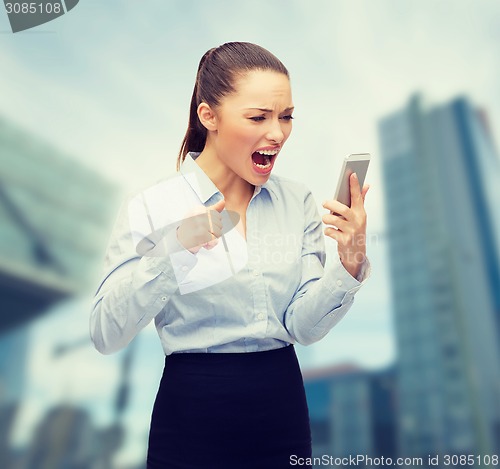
x=253, y=123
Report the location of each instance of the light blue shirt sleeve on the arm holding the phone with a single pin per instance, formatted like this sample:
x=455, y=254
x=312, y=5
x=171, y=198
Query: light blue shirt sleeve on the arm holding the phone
x=324, y=296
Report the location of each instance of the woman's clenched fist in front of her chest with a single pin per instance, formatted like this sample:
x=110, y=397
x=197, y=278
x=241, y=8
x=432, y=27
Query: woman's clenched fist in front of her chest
x=202, y=229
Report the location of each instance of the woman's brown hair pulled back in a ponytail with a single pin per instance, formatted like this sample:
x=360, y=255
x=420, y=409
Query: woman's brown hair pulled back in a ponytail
x=218, y=69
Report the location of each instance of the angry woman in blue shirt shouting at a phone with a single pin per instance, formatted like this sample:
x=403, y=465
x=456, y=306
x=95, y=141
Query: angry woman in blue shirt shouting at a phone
x=229, y=262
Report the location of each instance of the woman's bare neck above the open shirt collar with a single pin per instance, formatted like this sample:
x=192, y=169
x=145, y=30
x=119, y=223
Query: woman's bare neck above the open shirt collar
x=234, y=189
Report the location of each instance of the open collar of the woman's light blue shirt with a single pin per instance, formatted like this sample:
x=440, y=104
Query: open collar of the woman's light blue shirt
x=205, y=188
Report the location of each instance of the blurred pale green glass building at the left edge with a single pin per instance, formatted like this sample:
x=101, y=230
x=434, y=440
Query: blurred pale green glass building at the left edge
x=55, y=218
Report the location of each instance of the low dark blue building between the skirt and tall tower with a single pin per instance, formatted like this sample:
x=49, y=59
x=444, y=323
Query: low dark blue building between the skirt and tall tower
x=352, y=411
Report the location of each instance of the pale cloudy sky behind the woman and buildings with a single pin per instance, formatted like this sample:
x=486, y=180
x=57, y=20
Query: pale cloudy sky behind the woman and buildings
x=109, y=84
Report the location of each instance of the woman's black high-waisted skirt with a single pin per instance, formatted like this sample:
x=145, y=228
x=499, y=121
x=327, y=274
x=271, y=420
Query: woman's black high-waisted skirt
x=230, y=411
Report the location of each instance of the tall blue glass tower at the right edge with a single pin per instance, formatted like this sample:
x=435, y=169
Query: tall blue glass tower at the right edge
x=439, y=166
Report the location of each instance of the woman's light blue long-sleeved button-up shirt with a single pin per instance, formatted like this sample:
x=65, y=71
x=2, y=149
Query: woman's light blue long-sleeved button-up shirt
x=257, y=294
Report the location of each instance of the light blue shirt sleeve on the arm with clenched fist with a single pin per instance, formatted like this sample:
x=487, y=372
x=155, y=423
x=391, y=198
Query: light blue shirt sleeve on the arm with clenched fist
x=134, y=288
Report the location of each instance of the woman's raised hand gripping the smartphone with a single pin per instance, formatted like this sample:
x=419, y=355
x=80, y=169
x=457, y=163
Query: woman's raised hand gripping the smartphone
x=348, y=227
